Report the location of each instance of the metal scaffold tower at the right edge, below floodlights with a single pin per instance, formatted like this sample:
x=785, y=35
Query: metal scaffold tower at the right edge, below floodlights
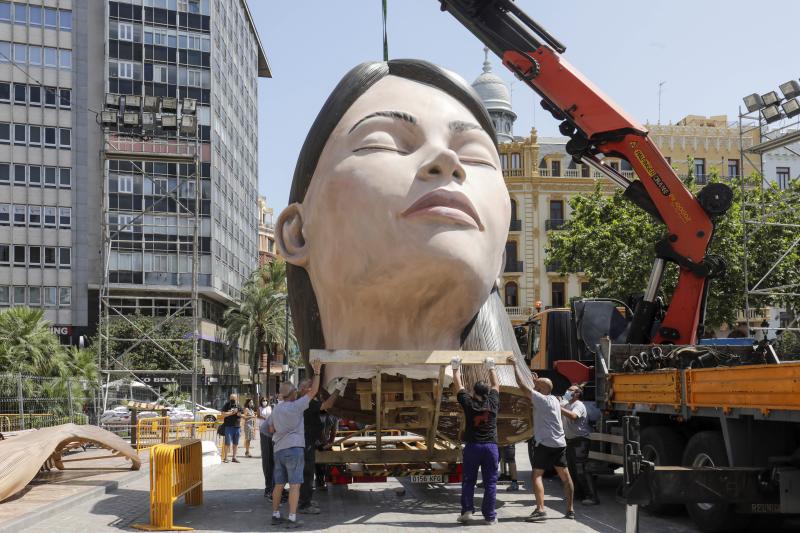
x=757, y=284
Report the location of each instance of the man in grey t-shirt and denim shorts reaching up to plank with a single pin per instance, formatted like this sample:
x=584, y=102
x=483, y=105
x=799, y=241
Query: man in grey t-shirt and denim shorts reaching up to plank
x=288, y=444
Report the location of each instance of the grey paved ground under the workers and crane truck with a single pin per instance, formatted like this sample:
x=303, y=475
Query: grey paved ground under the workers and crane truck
x=234, y=502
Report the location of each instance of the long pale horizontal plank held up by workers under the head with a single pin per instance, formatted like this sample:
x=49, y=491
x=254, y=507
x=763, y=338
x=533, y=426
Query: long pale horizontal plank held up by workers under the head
x=407, y=357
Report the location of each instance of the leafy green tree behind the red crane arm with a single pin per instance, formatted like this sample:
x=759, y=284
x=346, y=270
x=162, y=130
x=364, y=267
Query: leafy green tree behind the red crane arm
x=611, y=242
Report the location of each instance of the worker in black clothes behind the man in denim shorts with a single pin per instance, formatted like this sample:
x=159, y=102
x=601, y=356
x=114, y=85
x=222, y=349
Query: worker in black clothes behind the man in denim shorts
x=313, y=426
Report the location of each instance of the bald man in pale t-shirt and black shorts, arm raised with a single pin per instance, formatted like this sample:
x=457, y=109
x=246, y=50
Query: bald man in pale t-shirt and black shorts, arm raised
x=551, y=446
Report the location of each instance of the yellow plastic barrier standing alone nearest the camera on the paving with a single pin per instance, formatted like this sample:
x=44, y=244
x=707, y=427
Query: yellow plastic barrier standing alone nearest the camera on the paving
x=176, y=469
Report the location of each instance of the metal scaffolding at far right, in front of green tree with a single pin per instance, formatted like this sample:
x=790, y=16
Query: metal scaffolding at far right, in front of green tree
x=757, y=138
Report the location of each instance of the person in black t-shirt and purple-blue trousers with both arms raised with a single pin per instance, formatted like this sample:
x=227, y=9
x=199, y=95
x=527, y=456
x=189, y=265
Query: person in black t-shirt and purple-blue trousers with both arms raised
x=480, y=441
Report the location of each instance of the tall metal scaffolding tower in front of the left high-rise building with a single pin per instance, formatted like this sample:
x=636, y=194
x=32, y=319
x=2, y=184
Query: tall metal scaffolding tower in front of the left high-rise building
x=138, y=146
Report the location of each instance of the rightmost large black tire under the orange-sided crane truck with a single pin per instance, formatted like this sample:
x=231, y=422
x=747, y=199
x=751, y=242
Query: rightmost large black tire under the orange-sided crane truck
x=707, y=448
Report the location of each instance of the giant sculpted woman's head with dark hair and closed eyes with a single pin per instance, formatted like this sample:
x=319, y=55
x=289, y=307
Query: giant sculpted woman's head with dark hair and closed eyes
x=398, y=213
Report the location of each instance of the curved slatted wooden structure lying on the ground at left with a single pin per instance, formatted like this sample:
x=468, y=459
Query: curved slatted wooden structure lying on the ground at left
x=22, y=456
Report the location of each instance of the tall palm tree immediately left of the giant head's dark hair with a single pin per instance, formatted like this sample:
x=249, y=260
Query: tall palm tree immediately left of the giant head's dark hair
x=260, y=320
